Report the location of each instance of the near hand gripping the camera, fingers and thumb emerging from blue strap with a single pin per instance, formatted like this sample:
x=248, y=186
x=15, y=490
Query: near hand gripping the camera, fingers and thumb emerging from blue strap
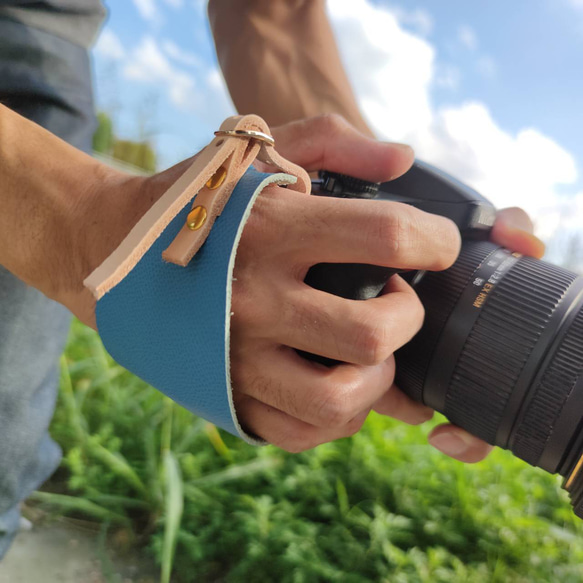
x=287, y=400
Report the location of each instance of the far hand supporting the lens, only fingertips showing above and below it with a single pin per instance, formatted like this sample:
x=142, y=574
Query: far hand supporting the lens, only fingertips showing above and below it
x=513, y=229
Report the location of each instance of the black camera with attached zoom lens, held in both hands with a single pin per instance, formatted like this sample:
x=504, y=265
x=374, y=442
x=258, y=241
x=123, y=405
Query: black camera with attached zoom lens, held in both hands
x=500, y=352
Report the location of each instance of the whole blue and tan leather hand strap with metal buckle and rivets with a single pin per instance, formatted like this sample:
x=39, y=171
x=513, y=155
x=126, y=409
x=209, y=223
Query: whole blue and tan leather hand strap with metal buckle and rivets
x=164, y=309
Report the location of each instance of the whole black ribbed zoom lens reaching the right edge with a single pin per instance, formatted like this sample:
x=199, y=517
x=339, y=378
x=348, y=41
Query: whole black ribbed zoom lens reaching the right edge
x=501, y=355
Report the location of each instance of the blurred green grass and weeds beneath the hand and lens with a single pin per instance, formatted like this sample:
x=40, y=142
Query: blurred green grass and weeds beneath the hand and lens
x=380, y=506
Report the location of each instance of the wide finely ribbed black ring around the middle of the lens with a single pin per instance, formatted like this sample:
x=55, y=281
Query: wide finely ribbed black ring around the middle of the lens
x=500, y=343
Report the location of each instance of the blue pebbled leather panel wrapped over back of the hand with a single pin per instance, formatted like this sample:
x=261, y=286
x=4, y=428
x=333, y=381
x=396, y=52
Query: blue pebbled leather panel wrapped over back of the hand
x=170, y=325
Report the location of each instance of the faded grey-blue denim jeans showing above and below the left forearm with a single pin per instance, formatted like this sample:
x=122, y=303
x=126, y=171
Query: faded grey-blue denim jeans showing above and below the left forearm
x=47, y=80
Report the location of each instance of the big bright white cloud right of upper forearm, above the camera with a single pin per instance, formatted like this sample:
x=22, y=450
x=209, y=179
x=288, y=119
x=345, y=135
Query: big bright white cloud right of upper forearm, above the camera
x=393, y=72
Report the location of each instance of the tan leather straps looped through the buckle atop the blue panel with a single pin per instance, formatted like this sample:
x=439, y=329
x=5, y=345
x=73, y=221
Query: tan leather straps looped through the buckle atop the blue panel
x=236, y=153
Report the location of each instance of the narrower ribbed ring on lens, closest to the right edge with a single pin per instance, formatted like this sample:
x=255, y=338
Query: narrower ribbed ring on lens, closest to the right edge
x=551, y=395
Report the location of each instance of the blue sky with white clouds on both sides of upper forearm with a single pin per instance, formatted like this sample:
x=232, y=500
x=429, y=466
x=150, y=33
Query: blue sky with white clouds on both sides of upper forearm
x=490, y=91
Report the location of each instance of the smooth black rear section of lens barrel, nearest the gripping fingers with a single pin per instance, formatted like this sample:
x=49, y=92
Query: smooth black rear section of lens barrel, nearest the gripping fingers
x=439, y=293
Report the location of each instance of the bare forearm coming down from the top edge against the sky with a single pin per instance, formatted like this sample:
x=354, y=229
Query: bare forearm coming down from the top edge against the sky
x=280, y=60
